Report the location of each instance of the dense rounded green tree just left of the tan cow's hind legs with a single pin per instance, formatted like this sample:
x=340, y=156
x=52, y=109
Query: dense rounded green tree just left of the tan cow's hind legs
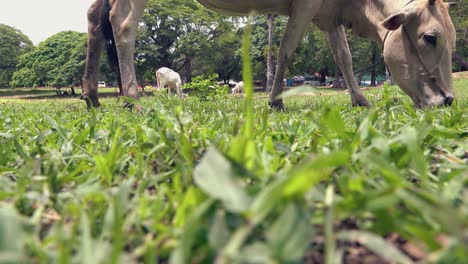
x=57, y=61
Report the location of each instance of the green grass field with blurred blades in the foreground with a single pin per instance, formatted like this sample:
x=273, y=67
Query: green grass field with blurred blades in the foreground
x=186, y=181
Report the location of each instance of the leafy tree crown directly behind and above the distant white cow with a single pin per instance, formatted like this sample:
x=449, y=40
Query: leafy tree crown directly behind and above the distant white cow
x=182, y=33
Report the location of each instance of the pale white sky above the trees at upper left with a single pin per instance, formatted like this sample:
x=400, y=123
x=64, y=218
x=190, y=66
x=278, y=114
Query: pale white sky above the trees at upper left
x=40, y=19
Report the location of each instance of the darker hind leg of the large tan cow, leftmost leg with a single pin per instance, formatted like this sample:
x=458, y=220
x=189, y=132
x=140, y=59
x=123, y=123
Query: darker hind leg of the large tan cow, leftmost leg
x=95, y=45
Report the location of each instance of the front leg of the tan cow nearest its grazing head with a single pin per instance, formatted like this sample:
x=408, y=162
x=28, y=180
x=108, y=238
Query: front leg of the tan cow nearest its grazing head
x=339, y=46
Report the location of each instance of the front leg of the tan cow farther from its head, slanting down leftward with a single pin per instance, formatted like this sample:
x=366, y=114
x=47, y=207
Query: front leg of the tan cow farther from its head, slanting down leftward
x=300, y=17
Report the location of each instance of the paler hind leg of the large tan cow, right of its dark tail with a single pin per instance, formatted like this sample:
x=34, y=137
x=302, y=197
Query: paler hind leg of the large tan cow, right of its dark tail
x=124, y=16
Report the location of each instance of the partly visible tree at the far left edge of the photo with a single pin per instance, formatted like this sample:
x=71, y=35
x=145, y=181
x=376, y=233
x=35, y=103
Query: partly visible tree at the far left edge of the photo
x=13, y=44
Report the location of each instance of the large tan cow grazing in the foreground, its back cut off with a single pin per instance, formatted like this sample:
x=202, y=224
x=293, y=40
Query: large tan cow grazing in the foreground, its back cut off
x=417, y=36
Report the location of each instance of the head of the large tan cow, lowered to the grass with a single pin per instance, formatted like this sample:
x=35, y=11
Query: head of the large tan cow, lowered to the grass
x=418, y=51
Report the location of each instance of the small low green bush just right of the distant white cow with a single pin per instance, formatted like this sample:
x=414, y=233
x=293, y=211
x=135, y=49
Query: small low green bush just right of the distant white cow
x=206, y=87
